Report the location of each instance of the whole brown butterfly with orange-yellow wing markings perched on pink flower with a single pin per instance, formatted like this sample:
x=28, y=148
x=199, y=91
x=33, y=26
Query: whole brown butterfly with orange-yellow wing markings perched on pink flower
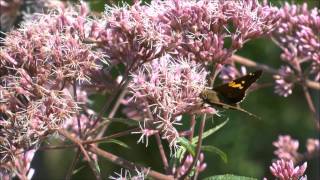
x=229, y=95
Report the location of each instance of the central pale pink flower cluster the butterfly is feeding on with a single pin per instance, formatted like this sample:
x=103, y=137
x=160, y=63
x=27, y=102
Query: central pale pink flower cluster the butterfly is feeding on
x=168, y=88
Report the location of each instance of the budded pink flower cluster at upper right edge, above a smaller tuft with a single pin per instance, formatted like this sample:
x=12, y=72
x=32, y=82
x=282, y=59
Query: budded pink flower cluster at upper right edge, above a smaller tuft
x=298, y=32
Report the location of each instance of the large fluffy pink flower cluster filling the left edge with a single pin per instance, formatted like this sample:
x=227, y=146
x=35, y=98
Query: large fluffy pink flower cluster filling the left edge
x=39, y=63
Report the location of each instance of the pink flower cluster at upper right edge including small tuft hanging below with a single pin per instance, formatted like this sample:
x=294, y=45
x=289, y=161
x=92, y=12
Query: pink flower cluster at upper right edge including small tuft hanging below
x=297, y=34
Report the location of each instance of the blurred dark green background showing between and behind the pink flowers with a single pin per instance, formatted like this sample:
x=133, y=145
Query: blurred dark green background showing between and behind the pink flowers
x=247, y=142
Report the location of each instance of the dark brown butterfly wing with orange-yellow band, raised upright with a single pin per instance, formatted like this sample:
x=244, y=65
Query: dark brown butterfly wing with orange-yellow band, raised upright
x=234, y=91
